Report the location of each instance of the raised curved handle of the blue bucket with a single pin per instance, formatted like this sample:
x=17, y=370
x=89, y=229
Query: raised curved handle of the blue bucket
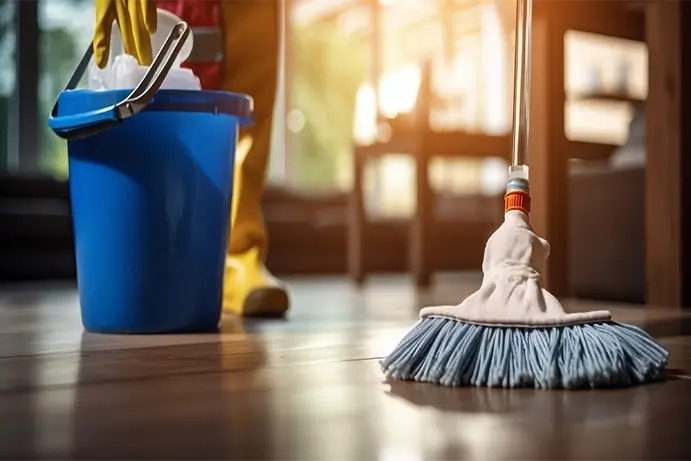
x=86, y=124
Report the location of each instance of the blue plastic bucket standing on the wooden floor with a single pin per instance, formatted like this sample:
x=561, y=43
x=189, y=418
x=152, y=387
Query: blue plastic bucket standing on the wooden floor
x=151, y=199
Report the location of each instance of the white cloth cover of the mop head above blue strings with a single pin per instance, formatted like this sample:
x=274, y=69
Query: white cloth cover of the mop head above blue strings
x=511, y=293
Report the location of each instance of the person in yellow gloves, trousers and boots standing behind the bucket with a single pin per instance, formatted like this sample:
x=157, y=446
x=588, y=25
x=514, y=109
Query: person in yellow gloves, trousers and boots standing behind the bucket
x=236, y=46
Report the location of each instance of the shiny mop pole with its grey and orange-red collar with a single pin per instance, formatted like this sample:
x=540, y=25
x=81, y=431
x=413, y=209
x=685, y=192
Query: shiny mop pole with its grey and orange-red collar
x=517, y=188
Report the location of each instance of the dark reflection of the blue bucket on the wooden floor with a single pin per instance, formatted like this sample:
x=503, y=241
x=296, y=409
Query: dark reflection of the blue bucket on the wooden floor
x=179, y=402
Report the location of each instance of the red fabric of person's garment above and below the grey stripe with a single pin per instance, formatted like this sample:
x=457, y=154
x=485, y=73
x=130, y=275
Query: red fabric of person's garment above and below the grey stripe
x=199, y=13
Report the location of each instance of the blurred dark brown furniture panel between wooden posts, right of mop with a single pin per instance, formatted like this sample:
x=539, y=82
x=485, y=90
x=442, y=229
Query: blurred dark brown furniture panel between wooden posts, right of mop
x=606, y=232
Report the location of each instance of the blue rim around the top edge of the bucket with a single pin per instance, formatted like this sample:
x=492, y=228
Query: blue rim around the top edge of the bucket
x=72, y=102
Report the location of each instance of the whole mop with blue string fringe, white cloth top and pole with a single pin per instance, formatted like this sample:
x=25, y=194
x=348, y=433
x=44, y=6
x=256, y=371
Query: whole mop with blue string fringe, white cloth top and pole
x=511, y=332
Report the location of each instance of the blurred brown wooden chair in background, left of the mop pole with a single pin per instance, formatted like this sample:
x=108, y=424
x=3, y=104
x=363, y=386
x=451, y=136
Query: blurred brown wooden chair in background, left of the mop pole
x=417, y=139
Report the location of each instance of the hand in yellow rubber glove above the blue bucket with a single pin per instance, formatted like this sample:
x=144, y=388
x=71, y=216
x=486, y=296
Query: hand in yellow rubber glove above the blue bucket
x=136, y=20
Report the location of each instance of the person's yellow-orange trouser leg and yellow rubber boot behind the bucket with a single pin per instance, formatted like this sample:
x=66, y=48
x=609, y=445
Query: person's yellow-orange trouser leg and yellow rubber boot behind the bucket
x=251, y=30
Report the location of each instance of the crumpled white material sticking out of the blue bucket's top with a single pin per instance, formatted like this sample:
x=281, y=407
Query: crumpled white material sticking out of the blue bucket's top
x=124, y=72
